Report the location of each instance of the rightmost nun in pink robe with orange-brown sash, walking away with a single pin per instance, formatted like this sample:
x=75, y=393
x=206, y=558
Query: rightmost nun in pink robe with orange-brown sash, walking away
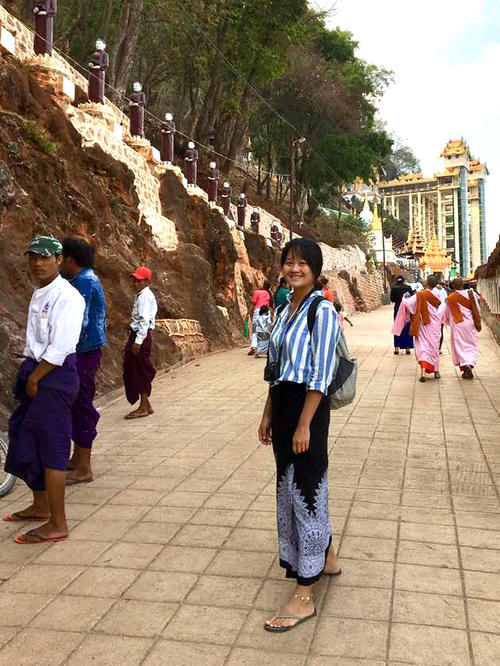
x=463, y=318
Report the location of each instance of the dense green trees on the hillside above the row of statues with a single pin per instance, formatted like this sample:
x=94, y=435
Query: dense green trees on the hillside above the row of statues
x=243, y=75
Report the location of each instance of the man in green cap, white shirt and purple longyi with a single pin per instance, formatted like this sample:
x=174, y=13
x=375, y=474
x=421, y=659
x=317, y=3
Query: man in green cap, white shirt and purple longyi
x=47, y=385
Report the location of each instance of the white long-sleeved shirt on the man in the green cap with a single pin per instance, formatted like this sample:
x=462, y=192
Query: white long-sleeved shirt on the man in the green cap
x=55, y=318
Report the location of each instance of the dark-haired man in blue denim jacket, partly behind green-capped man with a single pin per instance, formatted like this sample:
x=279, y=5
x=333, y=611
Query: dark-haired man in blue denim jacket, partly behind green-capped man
x=77, y=265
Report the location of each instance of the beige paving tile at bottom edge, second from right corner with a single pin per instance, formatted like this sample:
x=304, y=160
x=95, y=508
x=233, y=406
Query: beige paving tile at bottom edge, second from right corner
x=418, y=644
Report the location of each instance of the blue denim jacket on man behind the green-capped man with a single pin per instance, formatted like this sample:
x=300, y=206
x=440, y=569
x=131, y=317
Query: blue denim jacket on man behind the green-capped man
x=93, y=333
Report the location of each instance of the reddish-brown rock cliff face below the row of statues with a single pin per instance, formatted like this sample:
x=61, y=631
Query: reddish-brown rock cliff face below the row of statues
x=50, y=183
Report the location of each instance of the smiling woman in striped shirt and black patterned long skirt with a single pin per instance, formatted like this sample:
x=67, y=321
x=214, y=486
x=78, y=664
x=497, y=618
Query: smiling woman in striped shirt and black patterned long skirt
x=295, y=421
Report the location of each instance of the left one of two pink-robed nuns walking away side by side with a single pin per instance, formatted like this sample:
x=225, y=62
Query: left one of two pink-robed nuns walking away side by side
x=427, y=339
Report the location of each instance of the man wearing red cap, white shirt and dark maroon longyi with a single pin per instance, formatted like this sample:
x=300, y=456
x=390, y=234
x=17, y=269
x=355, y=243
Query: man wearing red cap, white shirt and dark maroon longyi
x=138, y=369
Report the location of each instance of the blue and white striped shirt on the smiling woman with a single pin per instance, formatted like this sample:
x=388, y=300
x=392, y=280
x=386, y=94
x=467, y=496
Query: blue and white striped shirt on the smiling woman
x=306, y=359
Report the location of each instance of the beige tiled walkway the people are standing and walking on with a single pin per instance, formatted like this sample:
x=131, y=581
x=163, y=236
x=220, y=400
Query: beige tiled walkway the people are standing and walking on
x=172, y=555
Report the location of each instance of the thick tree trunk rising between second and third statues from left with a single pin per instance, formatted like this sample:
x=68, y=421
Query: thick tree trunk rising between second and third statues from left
x=122, y=53
